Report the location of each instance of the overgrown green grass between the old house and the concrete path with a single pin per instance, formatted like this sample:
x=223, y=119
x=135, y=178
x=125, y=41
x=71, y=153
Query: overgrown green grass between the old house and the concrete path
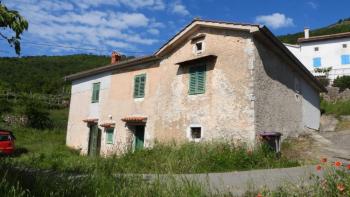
x=46, y=150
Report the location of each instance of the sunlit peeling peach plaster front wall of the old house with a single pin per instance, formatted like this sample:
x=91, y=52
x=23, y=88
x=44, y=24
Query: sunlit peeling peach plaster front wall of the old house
x=225, y=111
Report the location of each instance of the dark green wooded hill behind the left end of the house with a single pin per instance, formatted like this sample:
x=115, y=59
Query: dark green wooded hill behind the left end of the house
x=44, y=74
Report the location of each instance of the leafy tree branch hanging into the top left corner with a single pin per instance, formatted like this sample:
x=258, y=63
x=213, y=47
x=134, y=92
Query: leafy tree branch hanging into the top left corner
x=11, y=19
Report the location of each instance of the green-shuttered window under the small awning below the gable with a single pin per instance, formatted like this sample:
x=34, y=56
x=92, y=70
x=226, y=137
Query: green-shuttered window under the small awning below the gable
x=197, y=80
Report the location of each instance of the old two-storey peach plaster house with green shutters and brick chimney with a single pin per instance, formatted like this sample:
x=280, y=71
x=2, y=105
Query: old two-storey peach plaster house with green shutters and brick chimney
x=212, y=81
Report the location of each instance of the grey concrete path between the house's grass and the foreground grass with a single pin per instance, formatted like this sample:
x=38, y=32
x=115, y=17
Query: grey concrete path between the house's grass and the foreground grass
x=237, y=183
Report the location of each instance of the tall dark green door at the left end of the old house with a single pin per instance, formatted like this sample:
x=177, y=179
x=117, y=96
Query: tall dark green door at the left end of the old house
x=94, y=140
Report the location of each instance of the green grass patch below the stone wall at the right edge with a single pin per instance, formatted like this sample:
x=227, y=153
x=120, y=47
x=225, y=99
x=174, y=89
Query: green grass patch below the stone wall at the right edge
x=338, y=108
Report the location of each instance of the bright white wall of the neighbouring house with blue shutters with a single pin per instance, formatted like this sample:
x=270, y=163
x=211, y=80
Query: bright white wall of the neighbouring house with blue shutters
x=330, y=52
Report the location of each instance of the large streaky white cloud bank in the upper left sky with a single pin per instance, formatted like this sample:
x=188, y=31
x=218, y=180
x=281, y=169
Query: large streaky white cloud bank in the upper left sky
x=61, y=22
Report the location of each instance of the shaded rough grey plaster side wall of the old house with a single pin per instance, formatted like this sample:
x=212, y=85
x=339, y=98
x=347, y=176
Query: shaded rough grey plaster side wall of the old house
x=277, y=106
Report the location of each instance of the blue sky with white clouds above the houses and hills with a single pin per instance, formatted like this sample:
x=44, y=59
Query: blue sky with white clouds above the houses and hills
x=140, y=27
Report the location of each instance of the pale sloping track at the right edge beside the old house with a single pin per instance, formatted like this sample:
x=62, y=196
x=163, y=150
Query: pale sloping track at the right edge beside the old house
x=333, y=145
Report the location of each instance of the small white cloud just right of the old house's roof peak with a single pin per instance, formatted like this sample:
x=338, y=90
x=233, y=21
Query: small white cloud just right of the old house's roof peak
x=275, y=20
